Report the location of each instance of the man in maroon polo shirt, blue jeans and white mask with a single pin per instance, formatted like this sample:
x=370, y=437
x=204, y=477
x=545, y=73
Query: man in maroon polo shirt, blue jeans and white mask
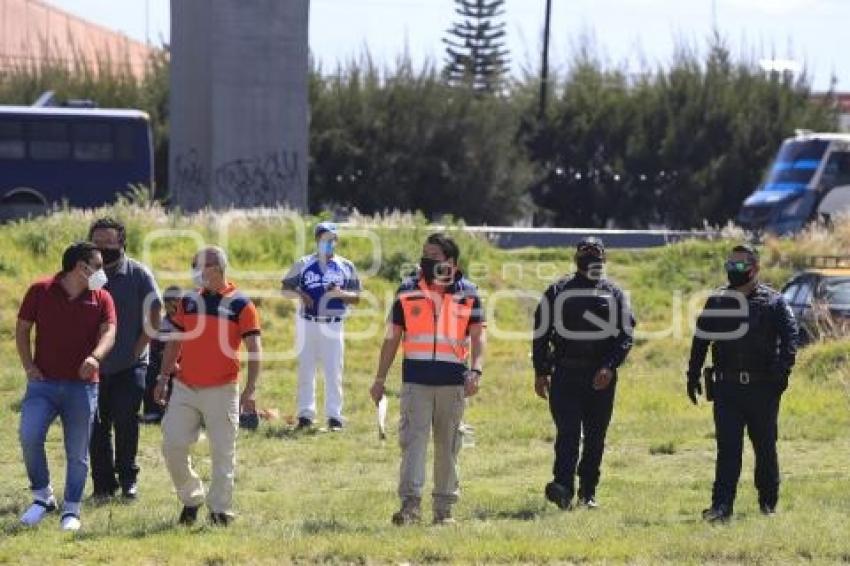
x=75, y=323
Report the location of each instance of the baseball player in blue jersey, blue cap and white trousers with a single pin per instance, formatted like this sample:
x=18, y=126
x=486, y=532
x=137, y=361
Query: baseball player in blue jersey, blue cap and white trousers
x=326, y=284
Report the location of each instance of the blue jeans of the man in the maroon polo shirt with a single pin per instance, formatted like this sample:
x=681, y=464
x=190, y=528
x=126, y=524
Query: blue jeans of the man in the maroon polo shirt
x=75, y=403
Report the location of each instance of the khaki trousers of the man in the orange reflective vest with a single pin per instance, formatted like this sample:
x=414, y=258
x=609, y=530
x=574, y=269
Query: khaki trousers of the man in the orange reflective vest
x=424, y=406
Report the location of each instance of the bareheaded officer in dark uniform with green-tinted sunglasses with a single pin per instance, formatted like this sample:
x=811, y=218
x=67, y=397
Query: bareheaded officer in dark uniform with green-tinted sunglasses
x=753, y=338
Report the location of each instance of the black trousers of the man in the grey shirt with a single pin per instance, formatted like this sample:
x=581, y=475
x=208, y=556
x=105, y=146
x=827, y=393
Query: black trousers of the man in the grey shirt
x=118, y=407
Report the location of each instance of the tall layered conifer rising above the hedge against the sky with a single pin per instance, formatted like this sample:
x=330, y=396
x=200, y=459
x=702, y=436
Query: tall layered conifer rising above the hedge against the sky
x=475, y=49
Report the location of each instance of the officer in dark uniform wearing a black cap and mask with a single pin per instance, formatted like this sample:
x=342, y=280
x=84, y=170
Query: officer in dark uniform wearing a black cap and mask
x=583, y=332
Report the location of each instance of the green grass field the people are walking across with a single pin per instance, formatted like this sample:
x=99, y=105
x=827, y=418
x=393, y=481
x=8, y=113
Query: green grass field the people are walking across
x=329, y=497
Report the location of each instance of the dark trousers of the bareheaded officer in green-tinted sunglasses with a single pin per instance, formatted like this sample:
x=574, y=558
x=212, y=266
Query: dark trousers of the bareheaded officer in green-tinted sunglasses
x=756, y=407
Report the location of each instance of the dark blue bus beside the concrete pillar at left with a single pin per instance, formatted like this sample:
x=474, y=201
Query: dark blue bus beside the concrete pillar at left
x=84, y=157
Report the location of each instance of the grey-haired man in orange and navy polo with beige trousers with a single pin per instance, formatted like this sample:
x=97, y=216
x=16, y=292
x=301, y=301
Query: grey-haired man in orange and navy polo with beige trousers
x=212, y=323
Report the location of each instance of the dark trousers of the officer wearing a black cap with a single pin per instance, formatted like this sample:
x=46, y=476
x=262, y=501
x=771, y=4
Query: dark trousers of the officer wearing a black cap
x=579, y=409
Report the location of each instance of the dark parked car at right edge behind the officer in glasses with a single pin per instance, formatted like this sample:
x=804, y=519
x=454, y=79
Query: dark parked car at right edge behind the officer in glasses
x=819, y=295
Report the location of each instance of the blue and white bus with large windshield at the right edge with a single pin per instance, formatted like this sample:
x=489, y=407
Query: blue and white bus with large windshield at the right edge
x=808, y=180
